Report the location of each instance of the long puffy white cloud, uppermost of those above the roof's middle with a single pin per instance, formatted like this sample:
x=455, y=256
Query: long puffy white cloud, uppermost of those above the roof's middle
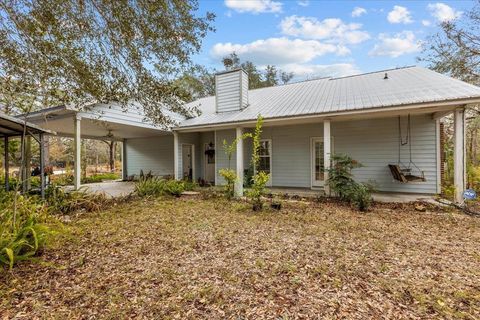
x=331, y=30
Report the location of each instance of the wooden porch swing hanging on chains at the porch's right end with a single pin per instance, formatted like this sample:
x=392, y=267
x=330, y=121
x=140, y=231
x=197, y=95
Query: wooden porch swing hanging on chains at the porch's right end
x=401, y=172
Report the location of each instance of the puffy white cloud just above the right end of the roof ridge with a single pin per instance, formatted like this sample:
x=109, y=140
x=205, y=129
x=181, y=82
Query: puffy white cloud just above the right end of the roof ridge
x=396, y=45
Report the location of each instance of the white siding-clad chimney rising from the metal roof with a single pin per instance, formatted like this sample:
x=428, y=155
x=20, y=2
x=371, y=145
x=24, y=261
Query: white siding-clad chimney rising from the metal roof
x=231, y=90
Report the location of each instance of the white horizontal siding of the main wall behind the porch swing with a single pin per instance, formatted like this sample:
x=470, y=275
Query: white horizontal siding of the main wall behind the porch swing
x=372, y=142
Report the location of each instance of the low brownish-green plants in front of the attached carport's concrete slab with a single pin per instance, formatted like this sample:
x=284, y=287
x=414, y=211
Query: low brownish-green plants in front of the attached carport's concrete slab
x=60, y=201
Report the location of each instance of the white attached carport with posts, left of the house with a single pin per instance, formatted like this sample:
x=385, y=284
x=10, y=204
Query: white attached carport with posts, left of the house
x=99, y=121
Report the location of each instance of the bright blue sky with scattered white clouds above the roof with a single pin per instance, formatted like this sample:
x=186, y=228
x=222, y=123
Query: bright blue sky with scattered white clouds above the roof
x=324, y=38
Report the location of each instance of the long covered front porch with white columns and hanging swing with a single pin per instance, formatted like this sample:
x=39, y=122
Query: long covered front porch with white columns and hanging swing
x=297, y=152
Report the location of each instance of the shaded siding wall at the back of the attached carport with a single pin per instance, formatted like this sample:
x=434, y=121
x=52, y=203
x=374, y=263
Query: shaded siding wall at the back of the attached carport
x=150, y=154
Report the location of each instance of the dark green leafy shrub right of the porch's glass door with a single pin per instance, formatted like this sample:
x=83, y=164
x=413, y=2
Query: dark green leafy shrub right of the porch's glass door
x=341, y=182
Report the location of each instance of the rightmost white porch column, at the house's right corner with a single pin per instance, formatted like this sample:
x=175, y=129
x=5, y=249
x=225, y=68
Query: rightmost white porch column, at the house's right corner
x=459, y=161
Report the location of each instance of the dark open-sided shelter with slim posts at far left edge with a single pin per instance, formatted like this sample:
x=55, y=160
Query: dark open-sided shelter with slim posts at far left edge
x=13, y=127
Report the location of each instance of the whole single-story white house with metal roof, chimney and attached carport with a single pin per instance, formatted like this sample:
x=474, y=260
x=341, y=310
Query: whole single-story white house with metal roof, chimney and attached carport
x=391, y=117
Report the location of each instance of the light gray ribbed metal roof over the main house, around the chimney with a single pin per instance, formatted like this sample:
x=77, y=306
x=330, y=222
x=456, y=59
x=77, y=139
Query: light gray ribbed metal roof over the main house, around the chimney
x=404, y=86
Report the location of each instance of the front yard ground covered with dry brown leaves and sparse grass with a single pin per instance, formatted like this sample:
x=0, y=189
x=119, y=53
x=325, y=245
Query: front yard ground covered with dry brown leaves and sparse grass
x=211, y=259
